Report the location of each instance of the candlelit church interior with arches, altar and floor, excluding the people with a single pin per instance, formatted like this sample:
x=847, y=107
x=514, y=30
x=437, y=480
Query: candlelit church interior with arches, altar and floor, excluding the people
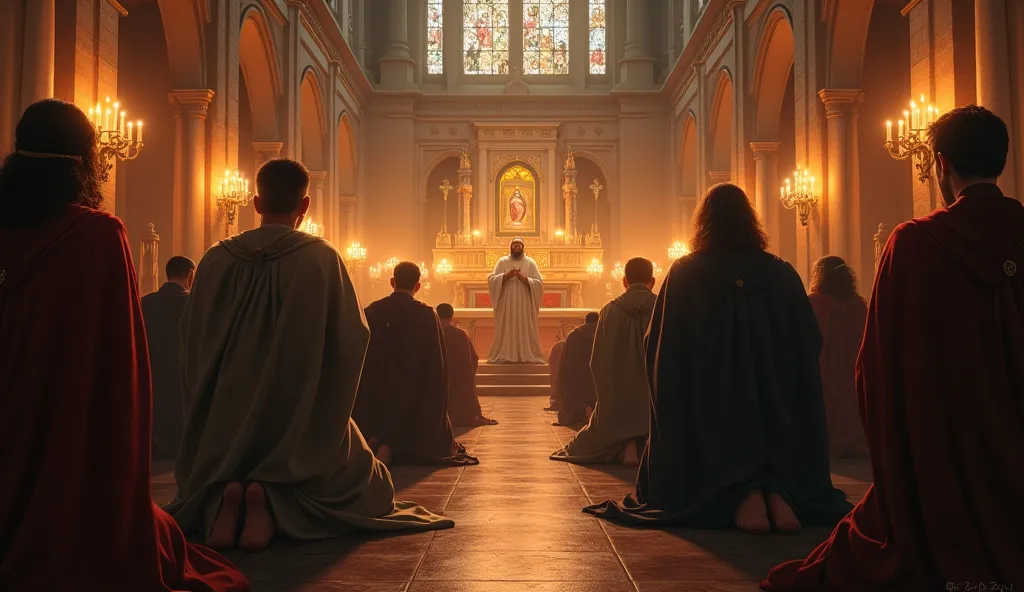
x=436, y=132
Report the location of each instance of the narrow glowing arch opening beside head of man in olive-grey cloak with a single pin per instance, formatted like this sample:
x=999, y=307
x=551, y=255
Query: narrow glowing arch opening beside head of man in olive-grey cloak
x=312, y=144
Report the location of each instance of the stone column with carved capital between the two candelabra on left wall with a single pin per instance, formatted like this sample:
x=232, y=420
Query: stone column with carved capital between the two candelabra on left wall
x=189, y=237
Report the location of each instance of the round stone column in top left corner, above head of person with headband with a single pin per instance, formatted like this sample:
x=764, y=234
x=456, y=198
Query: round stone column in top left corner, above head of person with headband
x=38, y=52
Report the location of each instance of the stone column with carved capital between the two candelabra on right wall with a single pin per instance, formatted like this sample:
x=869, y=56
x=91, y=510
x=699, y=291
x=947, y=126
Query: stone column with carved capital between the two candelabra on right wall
x=842, y=205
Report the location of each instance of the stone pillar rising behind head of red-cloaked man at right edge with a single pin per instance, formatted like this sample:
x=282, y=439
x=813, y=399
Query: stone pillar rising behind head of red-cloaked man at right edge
x=993, y=55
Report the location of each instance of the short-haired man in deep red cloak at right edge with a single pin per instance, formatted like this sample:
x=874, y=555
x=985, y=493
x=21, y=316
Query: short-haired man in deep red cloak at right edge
x=941, y=379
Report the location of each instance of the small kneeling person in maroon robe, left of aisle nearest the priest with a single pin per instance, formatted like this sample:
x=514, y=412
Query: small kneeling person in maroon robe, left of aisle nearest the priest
x=464, y=408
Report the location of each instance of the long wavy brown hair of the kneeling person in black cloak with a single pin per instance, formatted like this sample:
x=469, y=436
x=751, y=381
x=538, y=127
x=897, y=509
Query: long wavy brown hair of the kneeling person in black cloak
x=727, y=222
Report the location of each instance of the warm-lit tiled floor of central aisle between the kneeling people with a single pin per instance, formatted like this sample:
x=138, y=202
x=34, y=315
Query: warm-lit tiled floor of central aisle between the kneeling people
x=519, y=528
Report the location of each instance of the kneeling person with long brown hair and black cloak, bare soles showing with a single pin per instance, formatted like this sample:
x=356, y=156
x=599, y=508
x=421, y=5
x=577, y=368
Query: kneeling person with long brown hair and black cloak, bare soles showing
x=738, y=435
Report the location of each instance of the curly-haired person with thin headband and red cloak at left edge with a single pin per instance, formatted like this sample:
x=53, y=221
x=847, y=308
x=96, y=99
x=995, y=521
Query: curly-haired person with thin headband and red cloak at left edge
x=76, y=402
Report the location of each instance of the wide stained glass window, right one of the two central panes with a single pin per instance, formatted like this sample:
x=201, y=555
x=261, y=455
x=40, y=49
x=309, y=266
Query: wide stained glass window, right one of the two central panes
x=546, y=36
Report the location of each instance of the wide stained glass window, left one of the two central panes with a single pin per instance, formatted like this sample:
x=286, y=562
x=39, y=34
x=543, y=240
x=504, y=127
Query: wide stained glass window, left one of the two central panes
x=486, y=36
